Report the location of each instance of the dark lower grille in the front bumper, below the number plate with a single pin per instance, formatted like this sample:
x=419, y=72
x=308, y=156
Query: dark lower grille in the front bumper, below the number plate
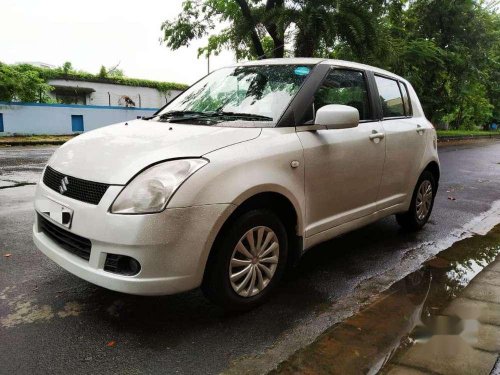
x=70, y=242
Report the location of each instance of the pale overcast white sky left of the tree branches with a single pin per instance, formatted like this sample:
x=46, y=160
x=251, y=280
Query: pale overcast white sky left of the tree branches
x=92, y=33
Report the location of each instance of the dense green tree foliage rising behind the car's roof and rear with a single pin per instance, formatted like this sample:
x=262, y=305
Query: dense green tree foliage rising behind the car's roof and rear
x=448, y=49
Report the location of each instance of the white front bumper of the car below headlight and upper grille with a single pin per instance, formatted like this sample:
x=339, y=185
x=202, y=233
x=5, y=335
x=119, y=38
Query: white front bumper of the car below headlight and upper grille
x=172, y=246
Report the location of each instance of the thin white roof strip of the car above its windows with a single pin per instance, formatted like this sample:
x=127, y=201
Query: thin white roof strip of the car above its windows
x=315, y=61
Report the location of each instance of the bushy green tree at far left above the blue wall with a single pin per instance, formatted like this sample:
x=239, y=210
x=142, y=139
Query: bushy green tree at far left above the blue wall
x=22, y=83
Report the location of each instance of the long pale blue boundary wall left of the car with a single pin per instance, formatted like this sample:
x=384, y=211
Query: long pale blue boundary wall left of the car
x=36, y=118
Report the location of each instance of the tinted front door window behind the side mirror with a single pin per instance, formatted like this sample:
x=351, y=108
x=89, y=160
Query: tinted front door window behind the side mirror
x=347, y=87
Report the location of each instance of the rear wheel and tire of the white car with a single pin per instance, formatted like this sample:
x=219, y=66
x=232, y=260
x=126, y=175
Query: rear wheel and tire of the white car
x=414, y=219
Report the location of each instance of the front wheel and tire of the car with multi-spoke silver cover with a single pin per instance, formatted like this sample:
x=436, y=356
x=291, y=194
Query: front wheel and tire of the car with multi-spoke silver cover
x=227, y=259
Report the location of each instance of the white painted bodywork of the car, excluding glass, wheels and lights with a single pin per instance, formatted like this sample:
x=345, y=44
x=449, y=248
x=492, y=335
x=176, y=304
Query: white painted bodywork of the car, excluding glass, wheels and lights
x=336, y=180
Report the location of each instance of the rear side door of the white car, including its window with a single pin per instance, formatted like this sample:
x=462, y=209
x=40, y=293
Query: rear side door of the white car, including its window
x=405, y=142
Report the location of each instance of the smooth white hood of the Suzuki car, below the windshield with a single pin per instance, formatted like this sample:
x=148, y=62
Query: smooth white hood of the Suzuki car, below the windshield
x=115, y=153
